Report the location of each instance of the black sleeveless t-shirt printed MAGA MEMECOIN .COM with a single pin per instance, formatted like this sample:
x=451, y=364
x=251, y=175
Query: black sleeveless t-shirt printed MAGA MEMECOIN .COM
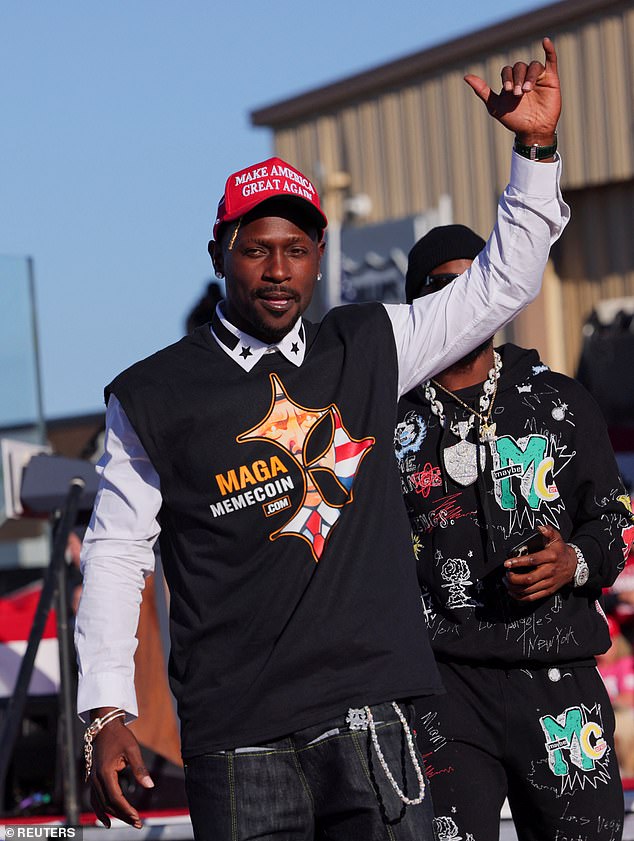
x=284, y=538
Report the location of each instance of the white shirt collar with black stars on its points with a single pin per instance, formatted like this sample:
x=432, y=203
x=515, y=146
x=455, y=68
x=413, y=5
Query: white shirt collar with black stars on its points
x=247, y=351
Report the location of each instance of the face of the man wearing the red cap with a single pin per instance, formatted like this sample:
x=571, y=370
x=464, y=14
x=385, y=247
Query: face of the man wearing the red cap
x=270, y=272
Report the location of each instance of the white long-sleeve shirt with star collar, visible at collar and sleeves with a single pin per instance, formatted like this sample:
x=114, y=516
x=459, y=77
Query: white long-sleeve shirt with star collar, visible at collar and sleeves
x=430, y=335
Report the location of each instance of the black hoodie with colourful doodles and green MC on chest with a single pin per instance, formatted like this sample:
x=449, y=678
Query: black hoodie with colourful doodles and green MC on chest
x=551, y=463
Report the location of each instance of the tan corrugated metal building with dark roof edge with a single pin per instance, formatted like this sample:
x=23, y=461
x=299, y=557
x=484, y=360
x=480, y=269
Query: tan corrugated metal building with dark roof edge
x=410, y=131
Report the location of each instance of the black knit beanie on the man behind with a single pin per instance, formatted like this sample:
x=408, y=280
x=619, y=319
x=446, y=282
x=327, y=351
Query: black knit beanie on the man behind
x=438, y=246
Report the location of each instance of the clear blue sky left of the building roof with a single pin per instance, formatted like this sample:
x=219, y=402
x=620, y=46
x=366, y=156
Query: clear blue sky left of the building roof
x=121, y=121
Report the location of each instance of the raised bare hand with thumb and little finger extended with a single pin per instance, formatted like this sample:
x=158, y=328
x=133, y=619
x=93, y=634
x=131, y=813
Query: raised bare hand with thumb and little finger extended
x=529, y=102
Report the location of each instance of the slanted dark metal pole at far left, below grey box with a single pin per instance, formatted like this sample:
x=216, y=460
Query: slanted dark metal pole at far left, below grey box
x=15, y=708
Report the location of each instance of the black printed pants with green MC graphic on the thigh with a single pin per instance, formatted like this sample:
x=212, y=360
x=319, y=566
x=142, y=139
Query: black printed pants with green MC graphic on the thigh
x=543, y=738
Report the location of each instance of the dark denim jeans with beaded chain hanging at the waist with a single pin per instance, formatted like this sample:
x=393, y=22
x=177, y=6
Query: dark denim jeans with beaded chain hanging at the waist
x=324, y=782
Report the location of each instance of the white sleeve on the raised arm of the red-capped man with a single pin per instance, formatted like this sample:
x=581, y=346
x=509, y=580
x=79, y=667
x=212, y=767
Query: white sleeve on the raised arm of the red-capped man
x=439, y=329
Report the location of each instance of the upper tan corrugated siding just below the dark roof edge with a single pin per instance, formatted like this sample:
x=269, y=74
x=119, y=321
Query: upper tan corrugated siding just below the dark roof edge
x=438, y=132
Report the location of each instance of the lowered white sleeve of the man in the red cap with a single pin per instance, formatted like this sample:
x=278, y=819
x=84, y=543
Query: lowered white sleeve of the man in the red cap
x=117, y=554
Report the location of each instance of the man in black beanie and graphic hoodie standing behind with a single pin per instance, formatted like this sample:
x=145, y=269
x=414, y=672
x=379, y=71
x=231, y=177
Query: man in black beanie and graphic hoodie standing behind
x=501, y=457
